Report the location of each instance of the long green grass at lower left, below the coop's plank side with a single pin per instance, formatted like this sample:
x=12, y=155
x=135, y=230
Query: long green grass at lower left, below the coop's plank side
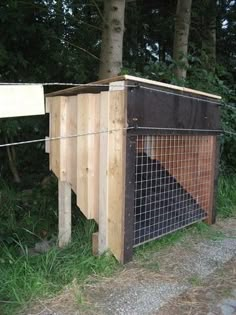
x=25, y=277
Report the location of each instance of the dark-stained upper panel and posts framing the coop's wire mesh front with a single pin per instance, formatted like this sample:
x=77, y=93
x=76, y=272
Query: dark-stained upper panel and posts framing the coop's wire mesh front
x=205, y=123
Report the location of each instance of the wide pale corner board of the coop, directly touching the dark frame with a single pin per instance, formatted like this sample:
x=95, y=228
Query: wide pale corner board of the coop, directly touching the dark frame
x=116, y=173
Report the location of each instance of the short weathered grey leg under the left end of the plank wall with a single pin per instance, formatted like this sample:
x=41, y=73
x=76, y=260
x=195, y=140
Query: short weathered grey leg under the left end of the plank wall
x=64, y=208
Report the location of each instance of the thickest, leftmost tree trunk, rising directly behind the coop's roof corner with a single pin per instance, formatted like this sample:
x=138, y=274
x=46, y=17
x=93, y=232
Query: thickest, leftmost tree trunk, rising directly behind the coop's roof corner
x=112, y=38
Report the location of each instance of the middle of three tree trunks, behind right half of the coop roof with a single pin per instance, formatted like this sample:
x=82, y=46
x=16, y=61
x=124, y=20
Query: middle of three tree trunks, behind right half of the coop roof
x=182, y=26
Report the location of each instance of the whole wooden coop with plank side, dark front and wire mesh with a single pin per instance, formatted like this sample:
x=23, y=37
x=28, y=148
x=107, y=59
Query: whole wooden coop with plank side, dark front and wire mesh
x=140, y=155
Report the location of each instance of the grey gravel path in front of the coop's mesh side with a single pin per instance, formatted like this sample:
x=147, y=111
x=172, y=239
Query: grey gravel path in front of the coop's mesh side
x=147, y=294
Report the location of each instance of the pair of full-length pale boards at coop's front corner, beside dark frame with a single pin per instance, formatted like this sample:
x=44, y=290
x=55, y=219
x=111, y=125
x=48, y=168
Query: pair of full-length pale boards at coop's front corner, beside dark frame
x=112, y=186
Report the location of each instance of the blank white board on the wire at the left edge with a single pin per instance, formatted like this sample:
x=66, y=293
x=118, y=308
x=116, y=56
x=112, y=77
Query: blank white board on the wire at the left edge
x=21, y=100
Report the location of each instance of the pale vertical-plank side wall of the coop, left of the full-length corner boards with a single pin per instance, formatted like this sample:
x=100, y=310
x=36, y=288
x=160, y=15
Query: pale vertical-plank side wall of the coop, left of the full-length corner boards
x=75, y=159
